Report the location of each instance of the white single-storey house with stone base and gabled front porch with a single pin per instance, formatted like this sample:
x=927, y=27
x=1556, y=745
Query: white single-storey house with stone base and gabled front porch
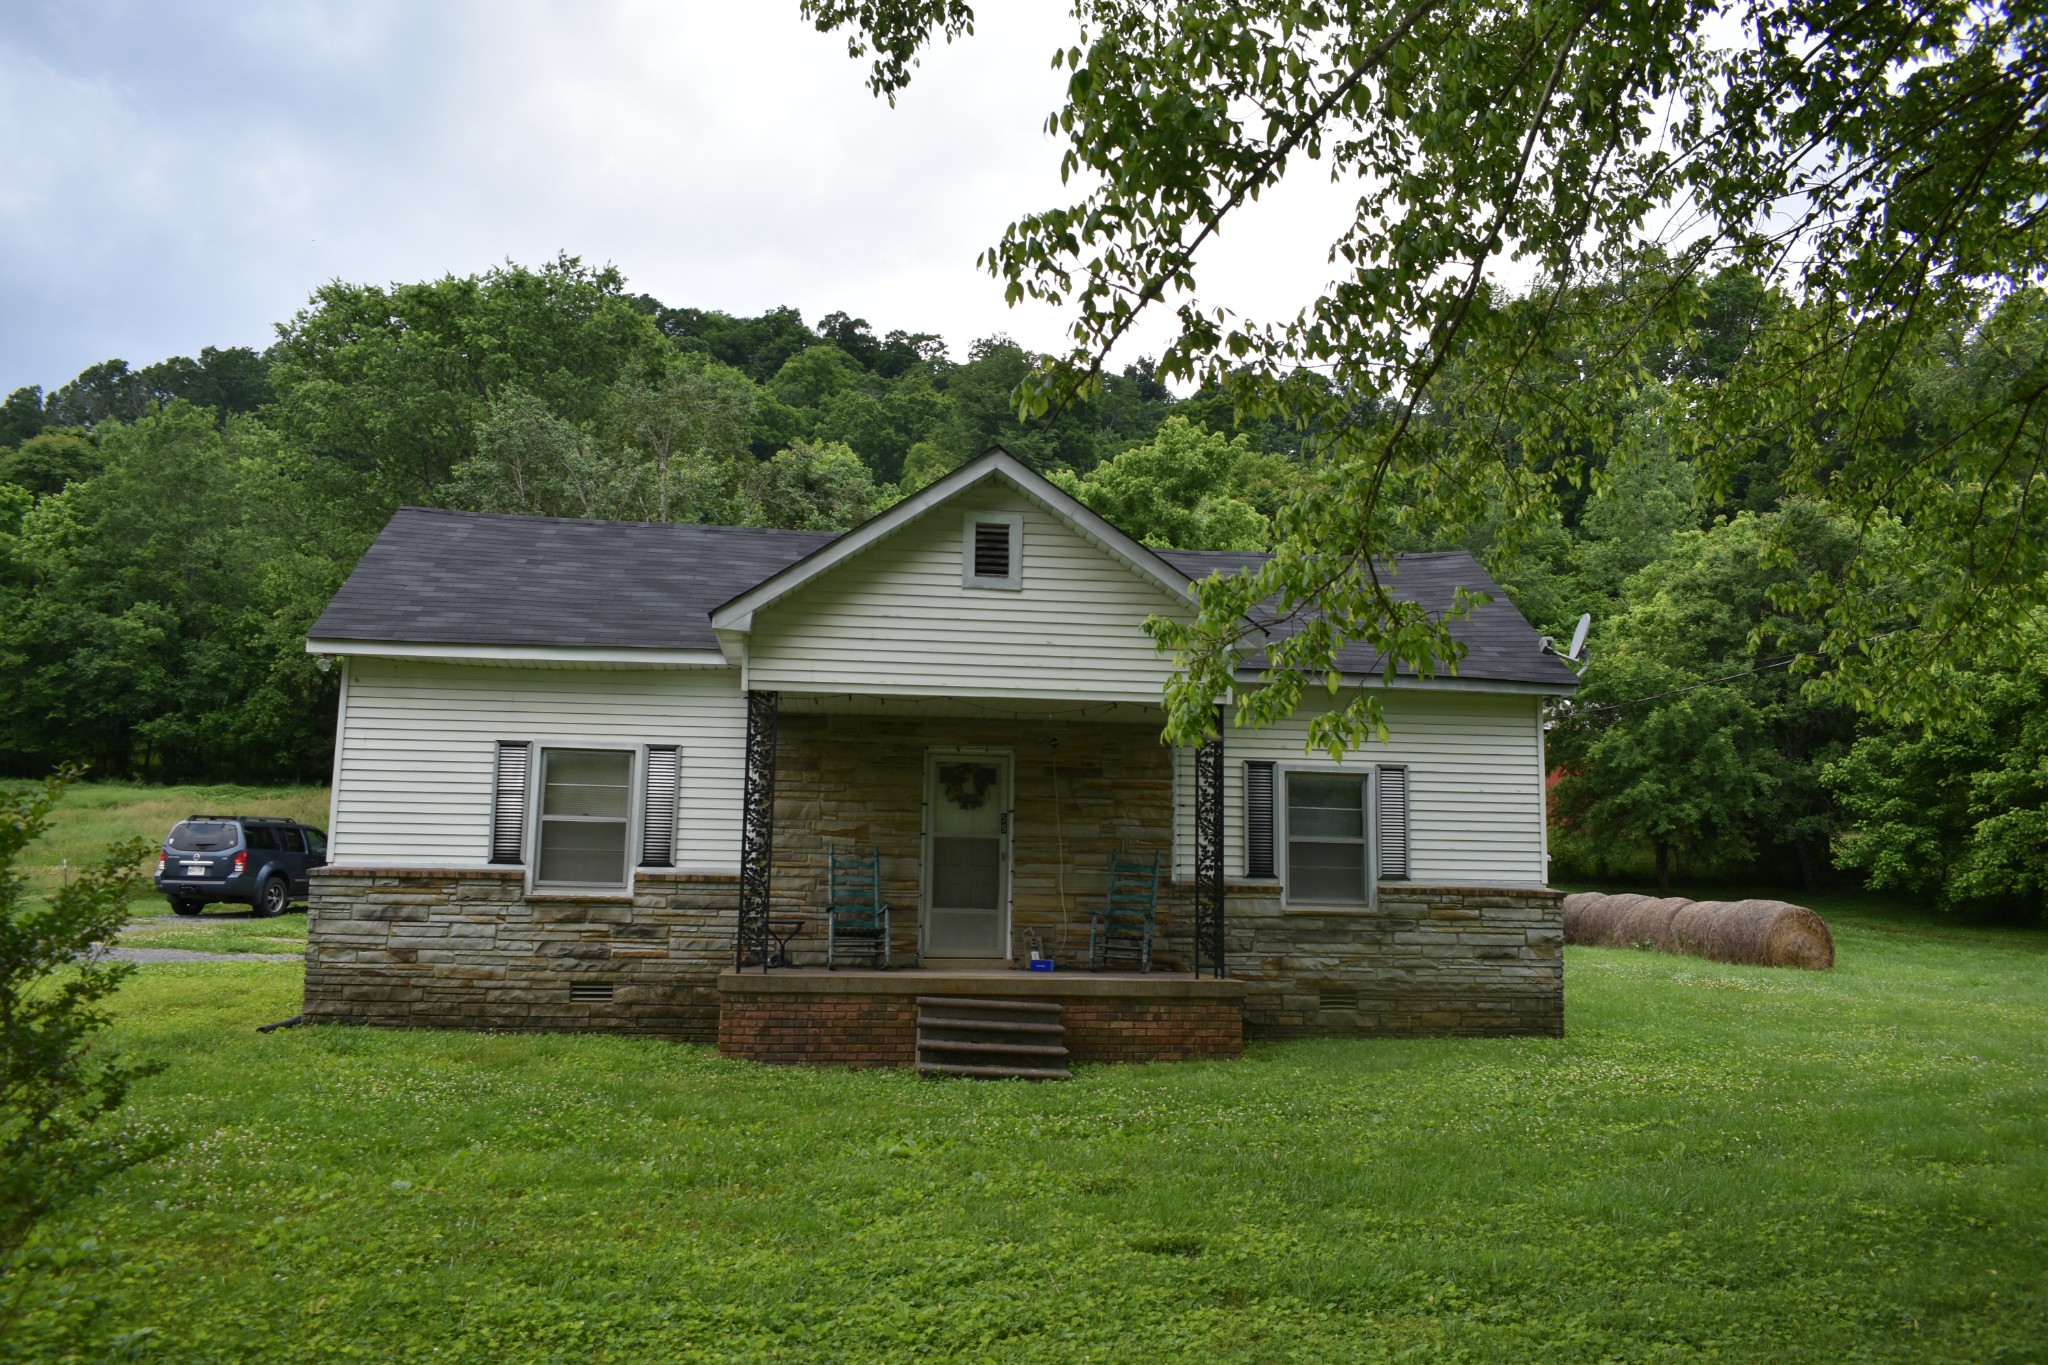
x=589, y=775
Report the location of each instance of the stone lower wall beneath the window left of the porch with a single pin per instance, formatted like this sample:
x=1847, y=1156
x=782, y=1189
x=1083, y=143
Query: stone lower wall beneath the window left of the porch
x=470, y=951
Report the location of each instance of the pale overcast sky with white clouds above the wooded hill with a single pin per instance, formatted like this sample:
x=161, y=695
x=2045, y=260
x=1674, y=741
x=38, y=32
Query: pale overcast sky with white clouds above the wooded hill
x=183, y=175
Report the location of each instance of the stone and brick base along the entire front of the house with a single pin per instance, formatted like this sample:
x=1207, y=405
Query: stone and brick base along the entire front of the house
x=466, y=949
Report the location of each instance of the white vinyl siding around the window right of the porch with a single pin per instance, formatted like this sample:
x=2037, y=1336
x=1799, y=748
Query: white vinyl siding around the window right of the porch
x=1474, y=770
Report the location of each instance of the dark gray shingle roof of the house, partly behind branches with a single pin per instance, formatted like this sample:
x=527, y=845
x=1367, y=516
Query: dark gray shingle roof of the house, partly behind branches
x=472, y=578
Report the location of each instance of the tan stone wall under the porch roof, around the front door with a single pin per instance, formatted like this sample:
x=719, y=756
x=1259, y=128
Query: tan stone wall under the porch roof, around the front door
x=1082, y=789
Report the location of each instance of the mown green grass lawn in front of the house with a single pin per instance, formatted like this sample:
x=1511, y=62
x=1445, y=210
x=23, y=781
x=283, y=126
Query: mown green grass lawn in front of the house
x=1715, y=1163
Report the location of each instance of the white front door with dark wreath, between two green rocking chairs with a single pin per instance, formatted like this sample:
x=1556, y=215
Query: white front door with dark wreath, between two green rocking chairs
x=968, y=854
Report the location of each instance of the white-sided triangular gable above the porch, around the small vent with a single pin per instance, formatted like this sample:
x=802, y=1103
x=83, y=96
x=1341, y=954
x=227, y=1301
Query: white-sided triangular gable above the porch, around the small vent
x=898, y=621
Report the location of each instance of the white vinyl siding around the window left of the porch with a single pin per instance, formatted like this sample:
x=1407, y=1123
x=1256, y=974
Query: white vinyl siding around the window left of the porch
x=419, y=748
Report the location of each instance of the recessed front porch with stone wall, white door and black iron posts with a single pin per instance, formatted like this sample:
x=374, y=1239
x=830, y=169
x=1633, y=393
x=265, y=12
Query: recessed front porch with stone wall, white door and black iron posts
x=982, y=875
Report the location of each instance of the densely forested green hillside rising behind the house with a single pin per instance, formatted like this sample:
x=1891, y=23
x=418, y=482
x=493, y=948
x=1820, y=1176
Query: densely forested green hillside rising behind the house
x=169, y=535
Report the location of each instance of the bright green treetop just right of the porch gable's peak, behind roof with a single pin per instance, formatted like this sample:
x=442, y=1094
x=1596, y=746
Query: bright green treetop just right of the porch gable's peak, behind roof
x=1185, y=488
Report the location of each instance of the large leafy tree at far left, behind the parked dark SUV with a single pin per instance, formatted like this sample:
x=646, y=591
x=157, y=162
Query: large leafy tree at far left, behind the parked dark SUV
x=144, y=611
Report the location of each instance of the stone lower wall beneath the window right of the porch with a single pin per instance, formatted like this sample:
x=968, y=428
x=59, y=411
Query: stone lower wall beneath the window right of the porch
x=1428, y=961
